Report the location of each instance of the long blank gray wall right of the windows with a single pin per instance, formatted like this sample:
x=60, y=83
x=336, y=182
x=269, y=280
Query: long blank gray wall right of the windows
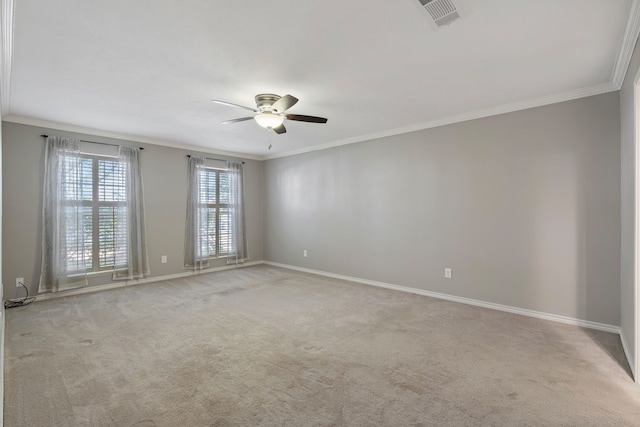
x=524, y=207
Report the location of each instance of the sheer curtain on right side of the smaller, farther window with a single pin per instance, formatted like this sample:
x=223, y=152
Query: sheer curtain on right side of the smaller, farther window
x=238, y=251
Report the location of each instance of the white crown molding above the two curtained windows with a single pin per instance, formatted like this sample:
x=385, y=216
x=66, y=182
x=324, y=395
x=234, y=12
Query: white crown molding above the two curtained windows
x=127, y=137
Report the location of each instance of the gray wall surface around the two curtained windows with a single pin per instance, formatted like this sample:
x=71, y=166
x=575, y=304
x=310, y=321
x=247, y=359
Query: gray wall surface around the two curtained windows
x=165, y=182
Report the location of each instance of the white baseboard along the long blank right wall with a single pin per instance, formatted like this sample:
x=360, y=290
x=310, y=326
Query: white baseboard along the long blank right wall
x=500, y=307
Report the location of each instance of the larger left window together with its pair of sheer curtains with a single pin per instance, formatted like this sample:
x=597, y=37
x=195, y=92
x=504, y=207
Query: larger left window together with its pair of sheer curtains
x=92, y=216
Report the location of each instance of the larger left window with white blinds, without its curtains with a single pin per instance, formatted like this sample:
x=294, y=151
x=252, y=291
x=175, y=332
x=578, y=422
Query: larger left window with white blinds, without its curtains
x=96, y=190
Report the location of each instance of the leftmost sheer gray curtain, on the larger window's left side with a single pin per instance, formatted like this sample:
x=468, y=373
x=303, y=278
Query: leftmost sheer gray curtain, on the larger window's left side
x=64, y=257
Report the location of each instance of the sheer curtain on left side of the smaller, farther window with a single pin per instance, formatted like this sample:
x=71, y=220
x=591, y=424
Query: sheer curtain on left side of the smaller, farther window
x=196, y=248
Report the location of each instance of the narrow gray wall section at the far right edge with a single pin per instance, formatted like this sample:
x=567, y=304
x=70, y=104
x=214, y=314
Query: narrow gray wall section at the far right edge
x=628, y=166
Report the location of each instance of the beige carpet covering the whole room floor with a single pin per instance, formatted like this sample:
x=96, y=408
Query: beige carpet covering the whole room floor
x=264, y=346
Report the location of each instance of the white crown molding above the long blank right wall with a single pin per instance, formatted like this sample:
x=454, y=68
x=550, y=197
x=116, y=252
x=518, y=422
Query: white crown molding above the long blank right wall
x=503, y=109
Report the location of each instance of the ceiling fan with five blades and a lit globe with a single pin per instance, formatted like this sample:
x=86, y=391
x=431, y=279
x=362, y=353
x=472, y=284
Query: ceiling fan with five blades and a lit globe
x=270, y=111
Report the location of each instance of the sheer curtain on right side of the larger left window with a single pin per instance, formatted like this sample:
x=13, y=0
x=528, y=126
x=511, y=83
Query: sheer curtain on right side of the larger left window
x=131, y=261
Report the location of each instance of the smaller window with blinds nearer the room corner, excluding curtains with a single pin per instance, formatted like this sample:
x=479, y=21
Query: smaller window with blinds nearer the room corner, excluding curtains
x=214, y=208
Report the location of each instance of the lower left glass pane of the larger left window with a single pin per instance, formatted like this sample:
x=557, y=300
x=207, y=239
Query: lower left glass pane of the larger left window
x=79, y=224
